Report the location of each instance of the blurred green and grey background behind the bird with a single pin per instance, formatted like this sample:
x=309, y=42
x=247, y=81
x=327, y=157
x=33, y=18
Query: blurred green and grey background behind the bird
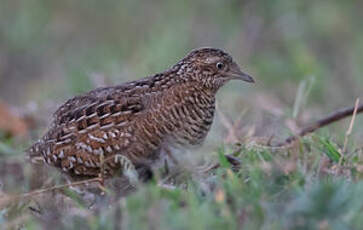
x=52, y=50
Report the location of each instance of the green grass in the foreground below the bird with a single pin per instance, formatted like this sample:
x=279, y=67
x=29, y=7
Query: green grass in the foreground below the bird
x=304, y=187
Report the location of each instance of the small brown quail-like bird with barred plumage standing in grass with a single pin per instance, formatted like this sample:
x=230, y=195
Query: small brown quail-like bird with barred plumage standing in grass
x=139, y=119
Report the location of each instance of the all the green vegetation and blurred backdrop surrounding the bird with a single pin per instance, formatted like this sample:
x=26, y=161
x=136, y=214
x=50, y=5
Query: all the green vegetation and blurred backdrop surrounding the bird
x=305, y=55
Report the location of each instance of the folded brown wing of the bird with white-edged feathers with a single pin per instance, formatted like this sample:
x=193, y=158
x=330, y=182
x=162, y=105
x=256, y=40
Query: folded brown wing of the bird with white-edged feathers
x=87, y=126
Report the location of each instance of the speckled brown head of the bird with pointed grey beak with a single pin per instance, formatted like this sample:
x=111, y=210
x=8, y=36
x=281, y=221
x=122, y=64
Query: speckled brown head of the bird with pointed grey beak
x=213, y=67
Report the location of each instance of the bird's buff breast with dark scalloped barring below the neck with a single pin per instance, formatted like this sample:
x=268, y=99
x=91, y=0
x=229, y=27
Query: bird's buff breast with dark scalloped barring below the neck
x=185, y=115
